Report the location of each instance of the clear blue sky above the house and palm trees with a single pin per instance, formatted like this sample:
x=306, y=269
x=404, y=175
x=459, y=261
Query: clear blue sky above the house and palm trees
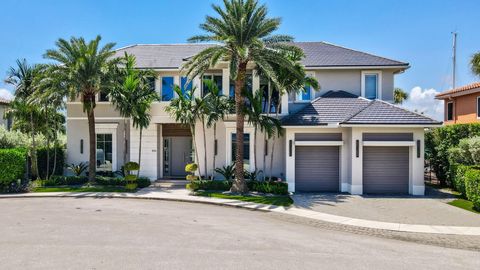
x=418, y=32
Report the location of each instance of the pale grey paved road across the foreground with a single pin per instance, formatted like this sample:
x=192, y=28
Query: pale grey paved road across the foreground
x=66, y=233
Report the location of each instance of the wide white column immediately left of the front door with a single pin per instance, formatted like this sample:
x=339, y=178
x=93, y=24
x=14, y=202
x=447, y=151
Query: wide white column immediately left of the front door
x=148, y=166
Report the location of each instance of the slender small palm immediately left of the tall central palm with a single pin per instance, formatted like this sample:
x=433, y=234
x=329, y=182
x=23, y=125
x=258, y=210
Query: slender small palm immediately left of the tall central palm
x=216, y=107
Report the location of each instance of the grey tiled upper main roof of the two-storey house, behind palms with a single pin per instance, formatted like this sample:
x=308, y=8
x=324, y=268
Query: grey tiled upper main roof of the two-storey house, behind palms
x=317, y=54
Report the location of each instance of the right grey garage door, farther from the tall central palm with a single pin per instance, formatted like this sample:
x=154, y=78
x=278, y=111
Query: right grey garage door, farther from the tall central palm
x=385, y=170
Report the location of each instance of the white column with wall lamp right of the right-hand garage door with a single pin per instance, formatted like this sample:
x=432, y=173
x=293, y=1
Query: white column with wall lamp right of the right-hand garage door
x=417, y=184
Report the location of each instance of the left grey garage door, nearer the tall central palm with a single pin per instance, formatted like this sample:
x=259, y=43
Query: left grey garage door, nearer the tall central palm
x=317, y=168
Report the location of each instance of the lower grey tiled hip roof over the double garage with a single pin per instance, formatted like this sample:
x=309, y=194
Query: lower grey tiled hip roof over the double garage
x=339, y=107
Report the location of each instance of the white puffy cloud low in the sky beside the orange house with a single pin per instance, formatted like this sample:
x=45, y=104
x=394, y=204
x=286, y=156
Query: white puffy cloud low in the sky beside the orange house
x=423, y=101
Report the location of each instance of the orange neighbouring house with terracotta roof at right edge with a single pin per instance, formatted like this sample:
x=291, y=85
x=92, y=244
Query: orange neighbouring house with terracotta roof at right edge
x=462, y=104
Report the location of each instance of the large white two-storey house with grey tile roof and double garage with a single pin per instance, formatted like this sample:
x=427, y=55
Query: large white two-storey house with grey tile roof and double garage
x=347, y=137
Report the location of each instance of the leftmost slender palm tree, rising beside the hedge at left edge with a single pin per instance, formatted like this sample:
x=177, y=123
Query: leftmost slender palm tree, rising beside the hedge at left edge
x=23, y=77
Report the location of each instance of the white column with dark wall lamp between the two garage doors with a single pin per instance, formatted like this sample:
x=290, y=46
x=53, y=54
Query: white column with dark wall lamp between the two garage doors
x=356, y=186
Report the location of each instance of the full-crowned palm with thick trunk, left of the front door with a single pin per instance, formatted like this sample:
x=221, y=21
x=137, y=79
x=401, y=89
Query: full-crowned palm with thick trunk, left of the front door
x=86, y=69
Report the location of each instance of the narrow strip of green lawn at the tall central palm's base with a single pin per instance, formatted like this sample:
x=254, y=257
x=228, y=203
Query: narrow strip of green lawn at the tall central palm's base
x=274, y=200
